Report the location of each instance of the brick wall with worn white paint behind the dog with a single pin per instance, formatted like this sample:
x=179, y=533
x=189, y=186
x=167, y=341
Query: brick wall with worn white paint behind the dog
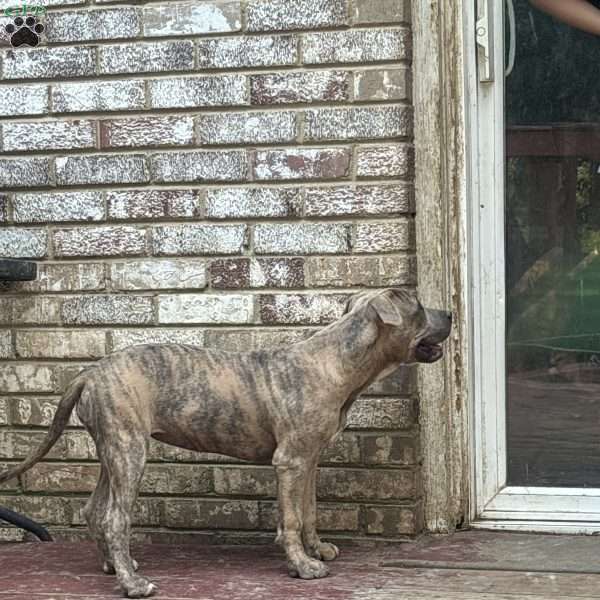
x=220, y=173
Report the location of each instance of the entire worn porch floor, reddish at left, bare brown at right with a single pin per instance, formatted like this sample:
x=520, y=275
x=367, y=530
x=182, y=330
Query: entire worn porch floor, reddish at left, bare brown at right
x=466, y=566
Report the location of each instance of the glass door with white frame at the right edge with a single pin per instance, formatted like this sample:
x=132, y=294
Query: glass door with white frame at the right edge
x=536, y=250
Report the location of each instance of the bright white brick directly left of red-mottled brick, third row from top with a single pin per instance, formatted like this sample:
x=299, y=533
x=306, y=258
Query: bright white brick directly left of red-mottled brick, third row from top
x=190, y=92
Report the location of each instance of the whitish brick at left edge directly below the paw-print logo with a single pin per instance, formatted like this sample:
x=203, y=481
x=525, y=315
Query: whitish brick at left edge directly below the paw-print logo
x=48, y=63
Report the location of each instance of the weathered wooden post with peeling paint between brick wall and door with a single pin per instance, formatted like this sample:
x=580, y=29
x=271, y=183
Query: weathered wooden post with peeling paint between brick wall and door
x=441, y=179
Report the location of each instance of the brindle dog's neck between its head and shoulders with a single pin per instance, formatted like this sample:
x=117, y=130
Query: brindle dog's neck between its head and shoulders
x=351, y=348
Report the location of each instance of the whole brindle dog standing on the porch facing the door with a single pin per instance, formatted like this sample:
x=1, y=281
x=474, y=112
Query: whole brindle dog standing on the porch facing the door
x=283, y=405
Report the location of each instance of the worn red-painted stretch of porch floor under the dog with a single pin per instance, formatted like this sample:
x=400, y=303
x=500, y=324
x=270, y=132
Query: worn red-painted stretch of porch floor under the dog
x=69, y=571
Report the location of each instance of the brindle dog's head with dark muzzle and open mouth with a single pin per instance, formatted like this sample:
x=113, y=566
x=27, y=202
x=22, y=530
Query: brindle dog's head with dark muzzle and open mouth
x=408, y=331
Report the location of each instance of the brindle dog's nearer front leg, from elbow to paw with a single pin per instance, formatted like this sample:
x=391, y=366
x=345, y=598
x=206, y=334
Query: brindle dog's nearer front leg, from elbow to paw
x=292, y=476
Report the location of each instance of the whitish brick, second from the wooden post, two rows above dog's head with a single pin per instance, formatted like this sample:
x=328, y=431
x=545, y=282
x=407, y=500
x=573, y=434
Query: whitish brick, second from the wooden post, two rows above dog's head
x=301, y=238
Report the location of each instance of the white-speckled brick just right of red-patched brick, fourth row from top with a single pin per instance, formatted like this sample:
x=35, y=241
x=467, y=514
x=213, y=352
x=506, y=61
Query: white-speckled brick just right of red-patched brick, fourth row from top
x=247, y=128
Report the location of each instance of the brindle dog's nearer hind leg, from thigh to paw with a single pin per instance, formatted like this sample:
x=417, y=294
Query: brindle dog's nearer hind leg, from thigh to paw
x=123, y=456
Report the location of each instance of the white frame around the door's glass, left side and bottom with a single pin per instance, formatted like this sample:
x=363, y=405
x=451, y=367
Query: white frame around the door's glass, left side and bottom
x=494, y=505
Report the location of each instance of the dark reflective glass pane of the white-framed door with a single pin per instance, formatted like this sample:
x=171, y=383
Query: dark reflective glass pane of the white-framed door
x=552, y=243
